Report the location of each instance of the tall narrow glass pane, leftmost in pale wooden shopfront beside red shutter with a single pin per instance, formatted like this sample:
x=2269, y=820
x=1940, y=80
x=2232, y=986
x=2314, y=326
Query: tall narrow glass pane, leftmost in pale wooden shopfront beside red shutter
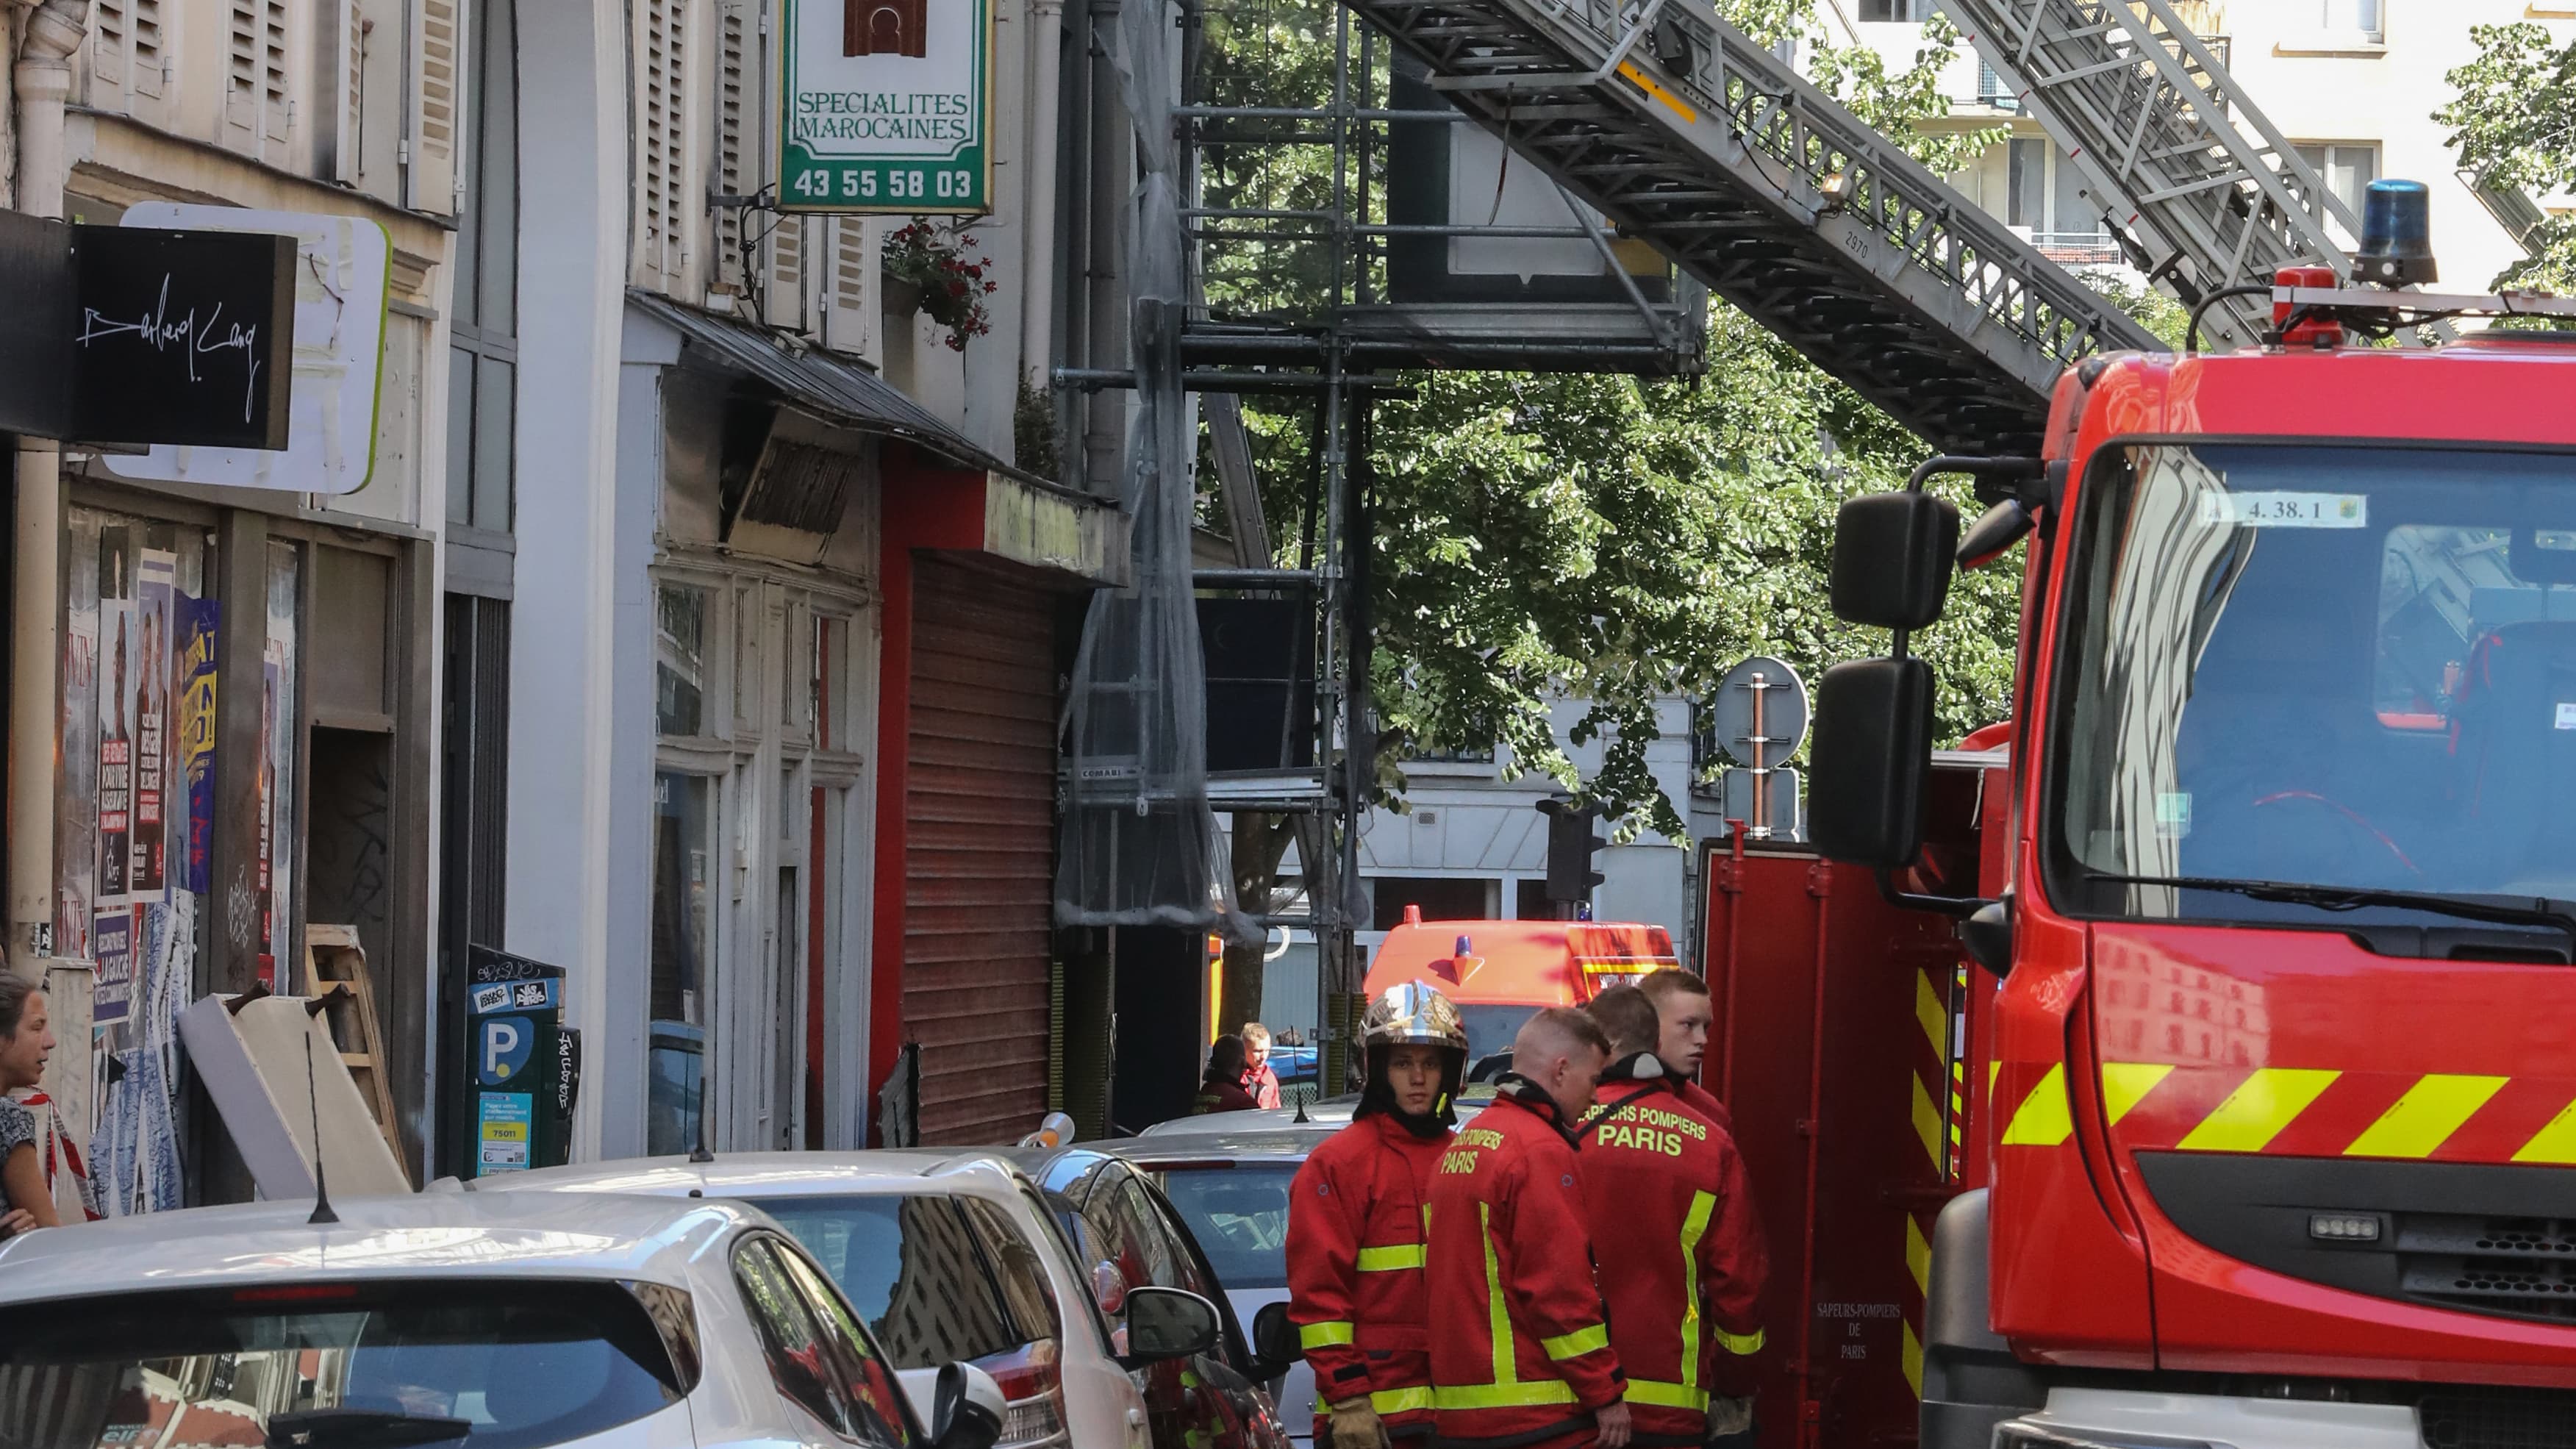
x=681, y=942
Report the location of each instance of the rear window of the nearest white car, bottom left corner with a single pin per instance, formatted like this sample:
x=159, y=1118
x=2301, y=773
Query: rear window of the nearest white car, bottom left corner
x=395, y=1365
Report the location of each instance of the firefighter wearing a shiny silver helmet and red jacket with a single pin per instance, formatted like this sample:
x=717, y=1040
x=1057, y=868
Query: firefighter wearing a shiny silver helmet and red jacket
x=1356, y=1285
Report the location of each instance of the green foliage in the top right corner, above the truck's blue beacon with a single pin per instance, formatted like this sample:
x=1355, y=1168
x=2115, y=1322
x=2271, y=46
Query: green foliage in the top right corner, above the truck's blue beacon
x=2513, y=122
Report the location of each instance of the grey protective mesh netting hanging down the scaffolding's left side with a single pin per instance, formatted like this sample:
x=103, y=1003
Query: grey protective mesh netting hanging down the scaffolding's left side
x=1140, y=842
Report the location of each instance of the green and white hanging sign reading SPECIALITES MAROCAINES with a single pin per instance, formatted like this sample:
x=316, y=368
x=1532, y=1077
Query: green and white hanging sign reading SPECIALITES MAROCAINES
x=887, y=107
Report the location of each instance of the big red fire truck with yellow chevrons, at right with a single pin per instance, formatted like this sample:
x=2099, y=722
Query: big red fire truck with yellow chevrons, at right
x=2193, y=1058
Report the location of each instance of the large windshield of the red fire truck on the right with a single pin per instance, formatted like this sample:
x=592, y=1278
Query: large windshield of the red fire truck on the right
x=2320, y=666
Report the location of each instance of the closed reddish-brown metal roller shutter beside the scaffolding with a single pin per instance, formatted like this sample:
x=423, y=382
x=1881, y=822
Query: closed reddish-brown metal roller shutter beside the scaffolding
x=983, y=850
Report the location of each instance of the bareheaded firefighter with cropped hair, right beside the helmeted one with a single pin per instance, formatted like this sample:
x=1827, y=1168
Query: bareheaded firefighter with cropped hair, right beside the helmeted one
x=1521, y=1350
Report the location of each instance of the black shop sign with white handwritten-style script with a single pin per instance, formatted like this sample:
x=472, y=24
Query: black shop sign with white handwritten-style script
x=148, y=336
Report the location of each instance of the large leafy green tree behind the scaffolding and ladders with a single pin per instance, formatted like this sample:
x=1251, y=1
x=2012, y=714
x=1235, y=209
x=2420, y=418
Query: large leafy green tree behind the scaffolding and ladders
x=1598, y=538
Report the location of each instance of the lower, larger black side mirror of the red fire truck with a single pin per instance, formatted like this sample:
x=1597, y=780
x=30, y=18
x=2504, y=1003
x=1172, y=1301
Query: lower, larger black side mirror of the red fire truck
x=1869, y=762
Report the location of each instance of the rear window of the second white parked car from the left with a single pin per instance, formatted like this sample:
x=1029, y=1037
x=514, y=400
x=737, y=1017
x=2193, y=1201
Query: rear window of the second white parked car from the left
x=913, y=1270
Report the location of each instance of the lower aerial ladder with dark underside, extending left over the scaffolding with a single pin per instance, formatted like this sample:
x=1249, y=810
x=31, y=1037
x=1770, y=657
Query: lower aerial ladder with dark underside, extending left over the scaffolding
x=1725, y=159
